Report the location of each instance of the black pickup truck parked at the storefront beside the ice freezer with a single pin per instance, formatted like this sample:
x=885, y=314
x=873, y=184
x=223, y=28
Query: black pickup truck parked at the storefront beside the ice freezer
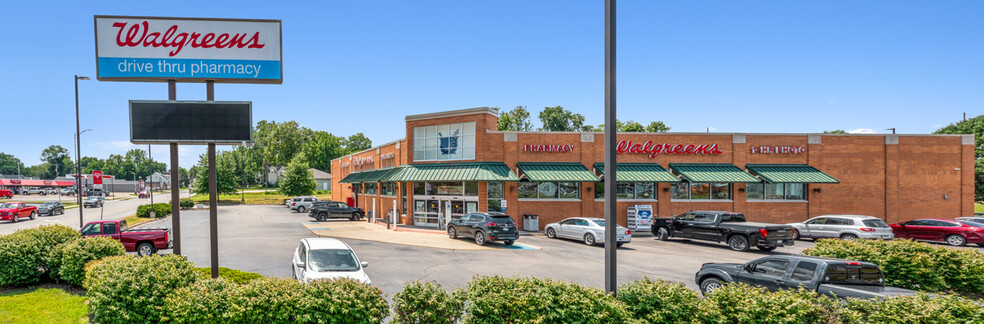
x=720, y=226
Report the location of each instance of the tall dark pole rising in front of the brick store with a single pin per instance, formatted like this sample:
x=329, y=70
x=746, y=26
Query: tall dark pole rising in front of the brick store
x=611, y=284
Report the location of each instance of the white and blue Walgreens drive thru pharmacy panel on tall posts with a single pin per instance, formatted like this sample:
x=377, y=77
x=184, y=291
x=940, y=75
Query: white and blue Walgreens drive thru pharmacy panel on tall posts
x=188, y=49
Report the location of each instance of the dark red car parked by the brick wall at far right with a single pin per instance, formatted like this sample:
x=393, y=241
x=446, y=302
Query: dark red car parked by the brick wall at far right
x=952, y=232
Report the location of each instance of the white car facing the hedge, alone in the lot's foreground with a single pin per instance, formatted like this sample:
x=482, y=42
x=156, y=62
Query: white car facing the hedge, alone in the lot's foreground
x=327, y=258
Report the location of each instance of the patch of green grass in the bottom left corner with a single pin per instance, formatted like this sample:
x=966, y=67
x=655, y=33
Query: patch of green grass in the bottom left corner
x=46, y=305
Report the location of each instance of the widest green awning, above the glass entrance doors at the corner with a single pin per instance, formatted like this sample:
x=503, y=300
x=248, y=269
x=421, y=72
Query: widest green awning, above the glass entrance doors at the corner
x=473, y=171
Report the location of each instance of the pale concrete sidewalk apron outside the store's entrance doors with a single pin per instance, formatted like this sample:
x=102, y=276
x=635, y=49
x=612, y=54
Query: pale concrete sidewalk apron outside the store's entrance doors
x=361, y=230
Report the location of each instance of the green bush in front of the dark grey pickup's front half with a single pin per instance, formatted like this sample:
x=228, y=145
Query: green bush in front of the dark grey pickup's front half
x=741, y=303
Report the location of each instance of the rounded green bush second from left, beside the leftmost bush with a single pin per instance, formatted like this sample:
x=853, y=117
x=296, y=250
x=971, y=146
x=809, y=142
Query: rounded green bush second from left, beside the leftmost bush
x=75, y=255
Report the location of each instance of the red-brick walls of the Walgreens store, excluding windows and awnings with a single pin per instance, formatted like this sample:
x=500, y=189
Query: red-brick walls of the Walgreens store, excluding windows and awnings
x=893, y=177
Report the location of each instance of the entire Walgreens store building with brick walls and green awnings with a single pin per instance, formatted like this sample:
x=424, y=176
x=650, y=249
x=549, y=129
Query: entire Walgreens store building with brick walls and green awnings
x=455, y=162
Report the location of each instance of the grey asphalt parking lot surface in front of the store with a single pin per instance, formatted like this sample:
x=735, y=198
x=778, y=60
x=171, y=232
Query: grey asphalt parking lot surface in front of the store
x=262, y=239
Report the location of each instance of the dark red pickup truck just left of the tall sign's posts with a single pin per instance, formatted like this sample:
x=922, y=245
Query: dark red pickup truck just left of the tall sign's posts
x=144, y=241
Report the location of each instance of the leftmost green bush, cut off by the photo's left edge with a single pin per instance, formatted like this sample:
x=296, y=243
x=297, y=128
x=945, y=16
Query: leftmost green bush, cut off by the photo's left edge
x=30, y=255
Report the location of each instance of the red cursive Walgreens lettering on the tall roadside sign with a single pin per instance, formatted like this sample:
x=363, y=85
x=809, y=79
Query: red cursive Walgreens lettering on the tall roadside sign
x=144, y=35
